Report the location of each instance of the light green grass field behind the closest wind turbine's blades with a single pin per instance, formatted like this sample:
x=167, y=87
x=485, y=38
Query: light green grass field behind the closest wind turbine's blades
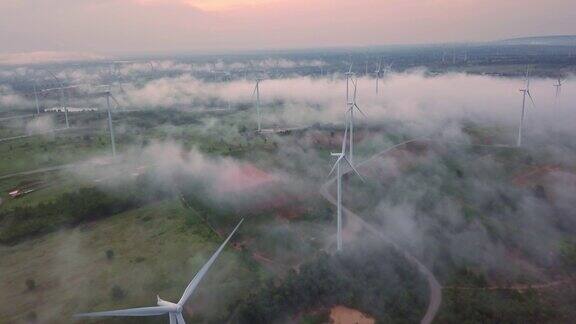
x=157, y=249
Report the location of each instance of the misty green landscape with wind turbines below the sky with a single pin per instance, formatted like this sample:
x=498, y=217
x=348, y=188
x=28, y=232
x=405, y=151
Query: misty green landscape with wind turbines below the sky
x=333, y=184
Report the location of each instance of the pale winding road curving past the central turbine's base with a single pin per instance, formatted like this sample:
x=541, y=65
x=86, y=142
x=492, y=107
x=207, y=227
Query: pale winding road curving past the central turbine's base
x=435, y=289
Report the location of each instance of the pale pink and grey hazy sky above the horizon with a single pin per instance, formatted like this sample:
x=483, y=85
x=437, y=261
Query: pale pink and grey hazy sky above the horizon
x=99, y=27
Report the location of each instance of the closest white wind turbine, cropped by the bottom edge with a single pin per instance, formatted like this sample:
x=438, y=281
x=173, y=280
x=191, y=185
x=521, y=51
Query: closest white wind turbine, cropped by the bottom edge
x=174, y=311
